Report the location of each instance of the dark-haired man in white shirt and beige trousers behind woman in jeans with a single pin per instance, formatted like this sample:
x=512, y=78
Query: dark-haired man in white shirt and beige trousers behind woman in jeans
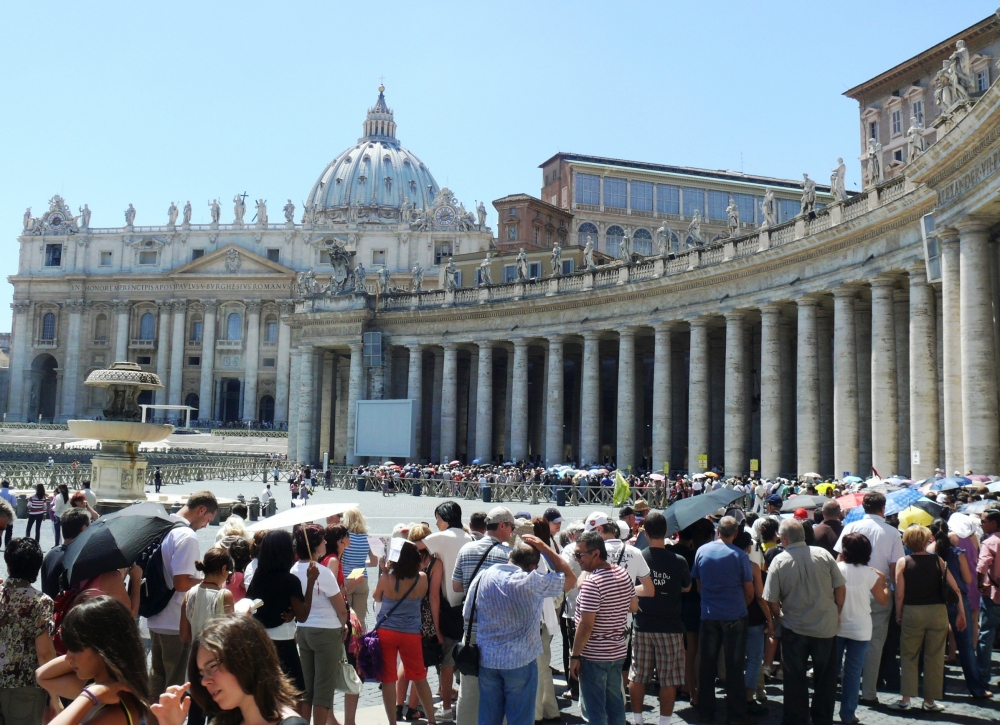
x=887, y=549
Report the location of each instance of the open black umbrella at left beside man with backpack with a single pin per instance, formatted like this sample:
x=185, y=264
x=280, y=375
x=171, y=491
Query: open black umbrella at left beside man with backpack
x=115, y=541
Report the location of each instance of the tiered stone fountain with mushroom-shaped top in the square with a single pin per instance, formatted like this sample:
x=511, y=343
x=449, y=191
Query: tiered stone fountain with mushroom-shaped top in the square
x=119, y=470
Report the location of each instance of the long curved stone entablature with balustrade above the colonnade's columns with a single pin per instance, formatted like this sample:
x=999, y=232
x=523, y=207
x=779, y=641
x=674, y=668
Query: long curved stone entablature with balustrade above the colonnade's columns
x=770, y=266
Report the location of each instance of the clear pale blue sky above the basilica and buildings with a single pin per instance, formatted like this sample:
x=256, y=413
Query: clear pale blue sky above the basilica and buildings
x=146, y=103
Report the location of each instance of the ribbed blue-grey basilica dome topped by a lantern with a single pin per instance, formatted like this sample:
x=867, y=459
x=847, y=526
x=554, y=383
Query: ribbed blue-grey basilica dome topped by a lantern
x=376, y=172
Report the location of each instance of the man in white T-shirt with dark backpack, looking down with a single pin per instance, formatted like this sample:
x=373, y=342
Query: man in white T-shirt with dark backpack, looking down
x=180, y=551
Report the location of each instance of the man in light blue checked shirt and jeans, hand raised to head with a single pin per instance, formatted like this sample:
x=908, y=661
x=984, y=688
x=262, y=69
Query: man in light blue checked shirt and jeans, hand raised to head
x=508, y=607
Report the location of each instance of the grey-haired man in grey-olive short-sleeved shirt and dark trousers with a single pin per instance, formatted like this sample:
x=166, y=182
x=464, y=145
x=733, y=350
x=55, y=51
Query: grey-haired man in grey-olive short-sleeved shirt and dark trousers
x=806, y=589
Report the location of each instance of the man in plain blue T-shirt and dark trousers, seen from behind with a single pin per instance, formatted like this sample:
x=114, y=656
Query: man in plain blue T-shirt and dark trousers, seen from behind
x=726, y=585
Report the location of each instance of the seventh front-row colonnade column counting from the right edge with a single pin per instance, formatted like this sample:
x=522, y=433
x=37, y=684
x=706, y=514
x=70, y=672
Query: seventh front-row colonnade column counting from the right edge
x=770, y=392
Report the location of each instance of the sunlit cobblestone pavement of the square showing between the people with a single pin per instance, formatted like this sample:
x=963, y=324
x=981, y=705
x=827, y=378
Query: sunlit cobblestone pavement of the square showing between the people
x=384, y=512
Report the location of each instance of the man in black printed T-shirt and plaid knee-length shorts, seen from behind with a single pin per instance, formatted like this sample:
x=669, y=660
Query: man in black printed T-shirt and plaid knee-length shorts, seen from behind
x=658, y=638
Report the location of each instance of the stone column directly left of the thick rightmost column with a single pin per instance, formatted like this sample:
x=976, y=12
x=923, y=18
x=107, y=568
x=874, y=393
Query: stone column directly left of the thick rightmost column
x=951, y=330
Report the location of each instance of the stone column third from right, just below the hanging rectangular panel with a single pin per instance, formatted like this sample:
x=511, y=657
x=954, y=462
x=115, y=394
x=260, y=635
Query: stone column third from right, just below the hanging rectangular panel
x=923, y=392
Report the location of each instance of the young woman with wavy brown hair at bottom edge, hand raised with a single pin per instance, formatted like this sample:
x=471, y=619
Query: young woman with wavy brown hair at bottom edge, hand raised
x=234, y=676
